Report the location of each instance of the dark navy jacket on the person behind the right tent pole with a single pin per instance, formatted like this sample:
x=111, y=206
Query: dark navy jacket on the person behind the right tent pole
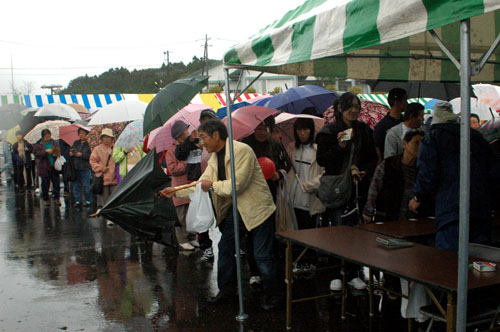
x=439, y=173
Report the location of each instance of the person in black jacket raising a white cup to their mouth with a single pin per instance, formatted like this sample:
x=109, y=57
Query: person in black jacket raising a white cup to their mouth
x=334, y=151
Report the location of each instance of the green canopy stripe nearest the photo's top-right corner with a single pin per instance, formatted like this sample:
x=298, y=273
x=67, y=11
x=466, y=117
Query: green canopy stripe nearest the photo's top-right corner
x=444, y=12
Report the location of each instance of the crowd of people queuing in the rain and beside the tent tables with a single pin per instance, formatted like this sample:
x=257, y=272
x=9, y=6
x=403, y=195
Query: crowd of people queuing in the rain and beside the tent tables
x=403, y=169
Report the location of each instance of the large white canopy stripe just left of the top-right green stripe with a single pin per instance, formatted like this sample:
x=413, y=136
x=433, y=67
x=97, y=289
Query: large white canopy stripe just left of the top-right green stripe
x=394, y=20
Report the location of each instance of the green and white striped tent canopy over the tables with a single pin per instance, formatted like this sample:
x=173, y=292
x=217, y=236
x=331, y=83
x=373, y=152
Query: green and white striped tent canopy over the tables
x=373, y=39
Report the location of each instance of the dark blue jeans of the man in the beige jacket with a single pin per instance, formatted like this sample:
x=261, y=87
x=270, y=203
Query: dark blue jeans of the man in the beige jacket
x=263, y=239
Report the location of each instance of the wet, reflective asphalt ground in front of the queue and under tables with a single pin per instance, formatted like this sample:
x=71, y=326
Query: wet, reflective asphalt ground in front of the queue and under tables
x=63, y=271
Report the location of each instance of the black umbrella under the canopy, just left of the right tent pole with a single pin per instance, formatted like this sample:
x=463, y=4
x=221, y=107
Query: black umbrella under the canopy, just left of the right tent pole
x=437, y=90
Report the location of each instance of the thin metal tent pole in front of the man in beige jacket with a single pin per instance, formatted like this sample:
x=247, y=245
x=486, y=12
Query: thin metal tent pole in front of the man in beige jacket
x=241, y=315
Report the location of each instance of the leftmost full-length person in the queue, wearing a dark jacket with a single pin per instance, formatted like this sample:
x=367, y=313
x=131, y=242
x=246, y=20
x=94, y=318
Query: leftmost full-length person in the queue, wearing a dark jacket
x=21, y=158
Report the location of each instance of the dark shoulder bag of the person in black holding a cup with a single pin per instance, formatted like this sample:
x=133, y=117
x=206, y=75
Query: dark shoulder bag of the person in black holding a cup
x=335, y=190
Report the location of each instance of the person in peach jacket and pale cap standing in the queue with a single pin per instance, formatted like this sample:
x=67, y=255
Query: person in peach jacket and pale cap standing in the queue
x=103, y=165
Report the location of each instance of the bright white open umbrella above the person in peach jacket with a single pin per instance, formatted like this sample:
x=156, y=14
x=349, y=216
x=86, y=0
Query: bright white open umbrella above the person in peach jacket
x=122, y=111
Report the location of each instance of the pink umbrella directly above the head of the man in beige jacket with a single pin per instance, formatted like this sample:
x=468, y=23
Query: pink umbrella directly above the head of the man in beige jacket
x=247, y=118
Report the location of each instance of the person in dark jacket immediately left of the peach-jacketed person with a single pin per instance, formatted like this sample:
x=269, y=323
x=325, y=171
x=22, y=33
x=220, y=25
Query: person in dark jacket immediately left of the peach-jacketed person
x=80, y=152
